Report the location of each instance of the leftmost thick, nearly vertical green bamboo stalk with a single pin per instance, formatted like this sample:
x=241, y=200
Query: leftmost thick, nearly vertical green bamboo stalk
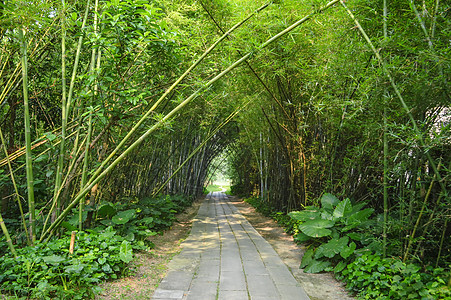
x=29, y=163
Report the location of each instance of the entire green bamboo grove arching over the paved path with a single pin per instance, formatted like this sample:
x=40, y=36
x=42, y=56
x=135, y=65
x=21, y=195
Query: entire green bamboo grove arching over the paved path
x=109, y=101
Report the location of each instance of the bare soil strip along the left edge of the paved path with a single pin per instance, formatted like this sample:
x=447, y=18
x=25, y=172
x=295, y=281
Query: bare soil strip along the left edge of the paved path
x=149, y=268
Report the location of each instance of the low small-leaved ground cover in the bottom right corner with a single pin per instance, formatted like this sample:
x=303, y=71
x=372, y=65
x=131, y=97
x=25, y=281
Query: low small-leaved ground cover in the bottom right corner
x=373, y=277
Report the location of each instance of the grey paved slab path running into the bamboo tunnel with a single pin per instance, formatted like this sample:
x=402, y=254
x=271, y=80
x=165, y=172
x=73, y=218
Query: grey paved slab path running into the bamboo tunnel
x=225, y=258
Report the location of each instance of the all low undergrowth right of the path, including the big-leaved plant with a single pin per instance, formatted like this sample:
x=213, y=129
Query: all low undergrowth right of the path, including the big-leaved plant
x=343, y=238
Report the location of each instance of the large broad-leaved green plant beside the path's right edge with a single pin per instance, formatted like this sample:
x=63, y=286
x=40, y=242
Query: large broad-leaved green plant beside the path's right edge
x=334, y=232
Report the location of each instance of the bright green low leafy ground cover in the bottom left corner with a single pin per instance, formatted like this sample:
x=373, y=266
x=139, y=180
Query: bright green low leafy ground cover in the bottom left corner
x=48, y=271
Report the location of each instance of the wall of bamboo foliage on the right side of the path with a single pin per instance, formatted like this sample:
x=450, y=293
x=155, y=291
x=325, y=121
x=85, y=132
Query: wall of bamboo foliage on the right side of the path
x=334, y=122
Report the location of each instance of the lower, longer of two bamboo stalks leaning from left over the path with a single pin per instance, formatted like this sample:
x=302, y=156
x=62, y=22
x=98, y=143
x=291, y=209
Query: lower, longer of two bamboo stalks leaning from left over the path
x=97, y=177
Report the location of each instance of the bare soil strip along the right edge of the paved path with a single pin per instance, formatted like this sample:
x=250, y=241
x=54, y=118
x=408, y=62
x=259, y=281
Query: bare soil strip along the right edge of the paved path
x=318, y=286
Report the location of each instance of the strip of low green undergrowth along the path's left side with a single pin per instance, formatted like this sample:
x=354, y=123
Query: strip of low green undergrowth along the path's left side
x=102, y=252
